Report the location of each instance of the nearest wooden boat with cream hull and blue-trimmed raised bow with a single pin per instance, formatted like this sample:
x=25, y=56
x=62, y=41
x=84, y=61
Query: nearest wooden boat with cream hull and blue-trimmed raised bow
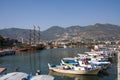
x=73, y=70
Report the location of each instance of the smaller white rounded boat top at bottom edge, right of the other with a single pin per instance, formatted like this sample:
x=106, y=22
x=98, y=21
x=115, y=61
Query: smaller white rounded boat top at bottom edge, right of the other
x=42, y=77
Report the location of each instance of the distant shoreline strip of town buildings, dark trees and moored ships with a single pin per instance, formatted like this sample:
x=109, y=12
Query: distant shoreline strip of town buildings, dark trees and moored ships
x=89, y=43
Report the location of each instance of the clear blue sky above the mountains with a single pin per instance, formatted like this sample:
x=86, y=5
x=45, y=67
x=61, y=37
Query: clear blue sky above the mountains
x=46, y=13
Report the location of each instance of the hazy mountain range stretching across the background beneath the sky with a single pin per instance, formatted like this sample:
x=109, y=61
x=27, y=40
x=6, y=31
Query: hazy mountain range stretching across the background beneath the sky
x=97, y=31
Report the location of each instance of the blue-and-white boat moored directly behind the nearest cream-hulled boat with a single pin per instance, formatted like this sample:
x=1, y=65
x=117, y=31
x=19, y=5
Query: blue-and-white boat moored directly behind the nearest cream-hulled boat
x=85, y=63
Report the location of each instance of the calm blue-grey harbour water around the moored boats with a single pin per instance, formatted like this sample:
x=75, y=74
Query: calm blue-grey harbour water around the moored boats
x=31, y=61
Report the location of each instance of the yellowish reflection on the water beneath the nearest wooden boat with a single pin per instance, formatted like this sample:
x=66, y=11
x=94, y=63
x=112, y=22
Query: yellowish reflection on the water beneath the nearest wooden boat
x=75, y=77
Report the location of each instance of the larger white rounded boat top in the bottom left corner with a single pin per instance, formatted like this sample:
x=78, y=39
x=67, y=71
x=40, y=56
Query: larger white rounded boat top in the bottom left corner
x=14, y=76
